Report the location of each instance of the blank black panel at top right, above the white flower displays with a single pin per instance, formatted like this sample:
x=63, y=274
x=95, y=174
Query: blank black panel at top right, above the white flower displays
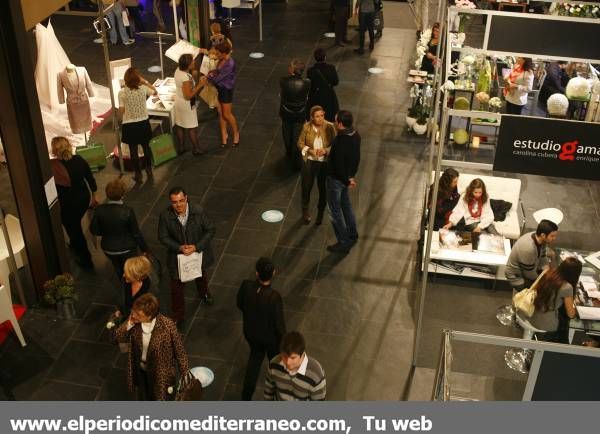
x=558, y=38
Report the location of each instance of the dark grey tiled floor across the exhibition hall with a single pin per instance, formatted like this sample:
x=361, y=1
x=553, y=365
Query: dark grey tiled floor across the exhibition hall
x=358, y=313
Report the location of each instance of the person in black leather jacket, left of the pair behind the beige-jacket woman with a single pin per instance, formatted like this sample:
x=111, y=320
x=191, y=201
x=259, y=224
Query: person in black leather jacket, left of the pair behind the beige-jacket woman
x=292, y=110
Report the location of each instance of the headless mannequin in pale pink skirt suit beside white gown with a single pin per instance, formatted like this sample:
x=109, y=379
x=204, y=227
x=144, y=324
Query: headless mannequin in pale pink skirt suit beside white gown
x=76, y=82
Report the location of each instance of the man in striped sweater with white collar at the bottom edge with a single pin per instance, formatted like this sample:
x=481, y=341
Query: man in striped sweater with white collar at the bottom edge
x=292, y=375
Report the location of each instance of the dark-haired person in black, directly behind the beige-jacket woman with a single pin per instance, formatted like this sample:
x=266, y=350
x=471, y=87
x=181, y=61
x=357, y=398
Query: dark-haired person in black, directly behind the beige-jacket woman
x=323, y=77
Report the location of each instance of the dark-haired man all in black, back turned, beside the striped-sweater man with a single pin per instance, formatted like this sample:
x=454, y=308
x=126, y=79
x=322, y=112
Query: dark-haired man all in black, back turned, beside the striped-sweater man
x=264, y=325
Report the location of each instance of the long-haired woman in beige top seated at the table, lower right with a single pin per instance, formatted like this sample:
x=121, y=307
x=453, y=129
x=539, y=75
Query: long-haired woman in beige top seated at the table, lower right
x=554, y=290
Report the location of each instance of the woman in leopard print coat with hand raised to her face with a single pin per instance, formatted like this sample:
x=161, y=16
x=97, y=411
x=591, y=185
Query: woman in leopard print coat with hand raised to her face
x=153, y=375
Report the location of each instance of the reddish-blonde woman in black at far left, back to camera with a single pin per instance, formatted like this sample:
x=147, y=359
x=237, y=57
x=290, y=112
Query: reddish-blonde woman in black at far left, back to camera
x=74, y=182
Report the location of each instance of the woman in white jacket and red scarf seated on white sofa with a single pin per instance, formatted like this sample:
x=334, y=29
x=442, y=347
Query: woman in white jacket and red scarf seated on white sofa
x=473, y=212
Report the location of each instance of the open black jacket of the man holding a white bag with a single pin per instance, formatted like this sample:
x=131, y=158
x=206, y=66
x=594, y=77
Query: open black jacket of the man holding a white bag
x=199, y=231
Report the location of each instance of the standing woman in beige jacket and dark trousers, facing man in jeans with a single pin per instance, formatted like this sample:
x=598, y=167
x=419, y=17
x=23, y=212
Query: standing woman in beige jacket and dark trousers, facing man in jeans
x=314, y=144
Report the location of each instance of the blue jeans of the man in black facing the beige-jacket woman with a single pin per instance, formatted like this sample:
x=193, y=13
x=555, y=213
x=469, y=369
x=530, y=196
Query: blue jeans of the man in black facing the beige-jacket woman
x=340, y=210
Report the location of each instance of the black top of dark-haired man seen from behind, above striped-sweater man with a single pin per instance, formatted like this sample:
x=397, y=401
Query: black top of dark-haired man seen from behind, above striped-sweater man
x=262, y=312
